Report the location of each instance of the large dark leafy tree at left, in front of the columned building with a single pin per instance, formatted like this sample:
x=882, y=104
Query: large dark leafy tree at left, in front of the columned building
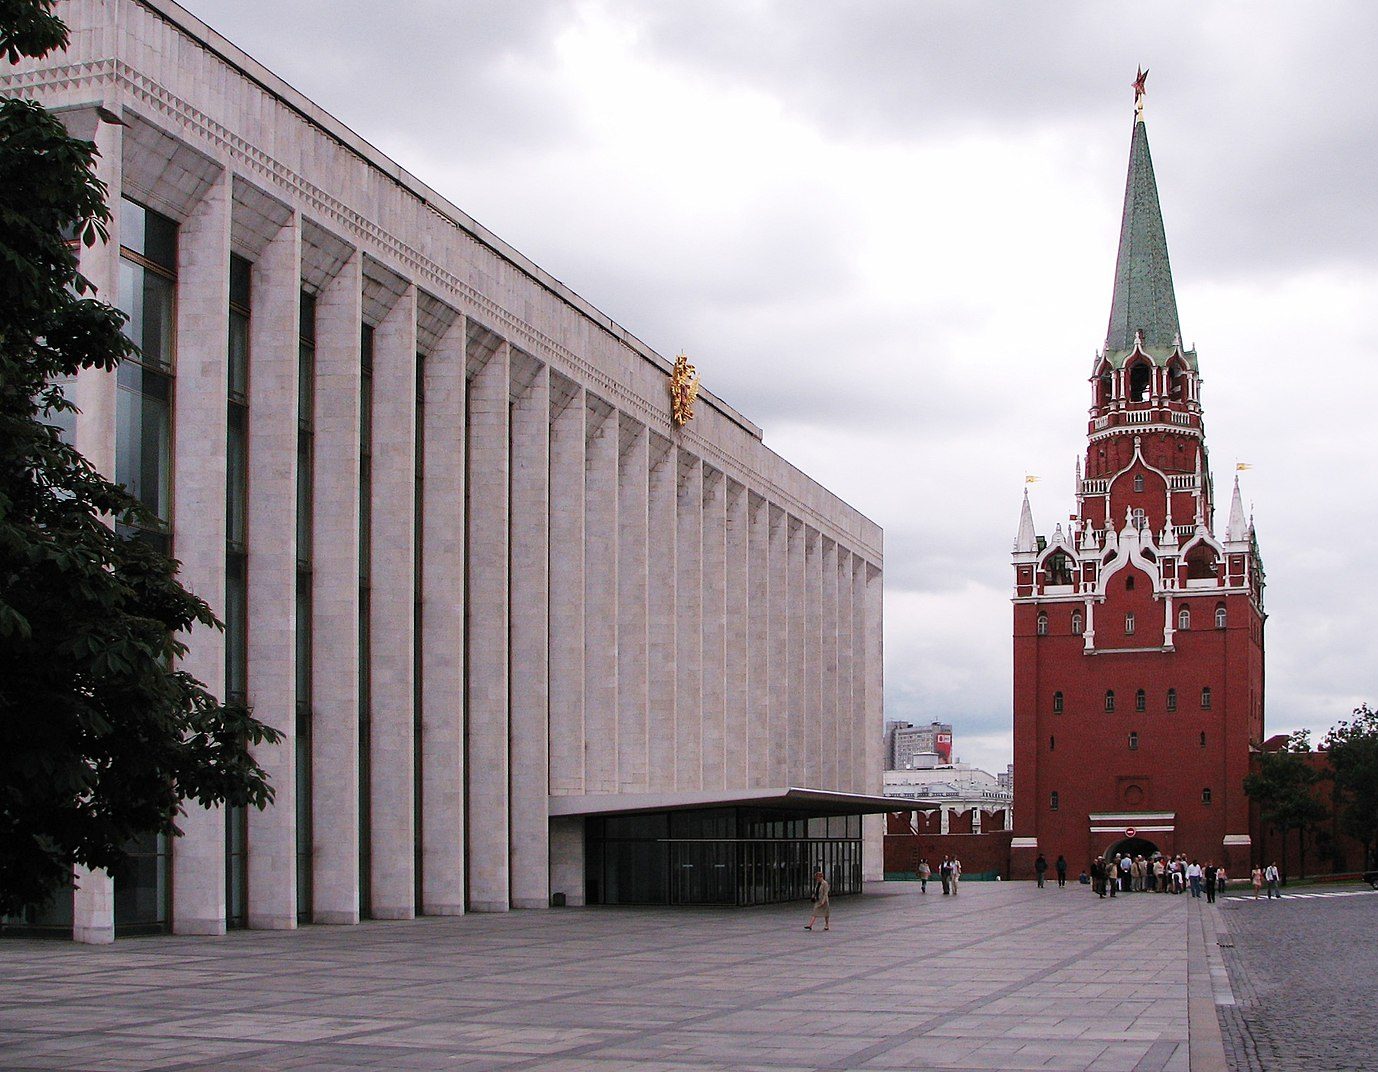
x=101, y=736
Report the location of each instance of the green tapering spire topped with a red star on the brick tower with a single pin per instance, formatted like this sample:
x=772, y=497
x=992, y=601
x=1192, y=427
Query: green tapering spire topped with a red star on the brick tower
x=1144, y=298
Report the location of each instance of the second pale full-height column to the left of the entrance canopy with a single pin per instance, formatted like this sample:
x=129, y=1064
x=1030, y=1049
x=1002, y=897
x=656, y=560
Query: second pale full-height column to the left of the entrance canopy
x=489, y=592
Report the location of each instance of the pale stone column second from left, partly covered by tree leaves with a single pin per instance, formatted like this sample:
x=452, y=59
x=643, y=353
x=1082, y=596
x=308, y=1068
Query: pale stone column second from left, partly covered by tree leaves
x=199, y=476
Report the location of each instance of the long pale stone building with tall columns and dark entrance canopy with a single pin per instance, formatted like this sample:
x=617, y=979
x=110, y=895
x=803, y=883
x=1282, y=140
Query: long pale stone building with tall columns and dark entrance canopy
x=497, y=600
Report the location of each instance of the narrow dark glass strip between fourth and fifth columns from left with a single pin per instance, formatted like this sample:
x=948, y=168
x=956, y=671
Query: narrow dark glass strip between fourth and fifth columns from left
x=366, y=557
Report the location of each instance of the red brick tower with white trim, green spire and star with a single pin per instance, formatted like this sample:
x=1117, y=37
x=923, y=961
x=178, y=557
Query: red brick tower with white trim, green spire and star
x=1139, y=636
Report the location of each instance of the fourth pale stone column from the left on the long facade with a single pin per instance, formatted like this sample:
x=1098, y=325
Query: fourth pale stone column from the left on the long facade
x=336, y=512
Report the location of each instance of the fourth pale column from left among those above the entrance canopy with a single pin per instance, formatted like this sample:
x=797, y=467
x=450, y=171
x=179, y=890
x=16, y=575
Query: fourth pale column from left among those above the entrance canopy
x=662, y=673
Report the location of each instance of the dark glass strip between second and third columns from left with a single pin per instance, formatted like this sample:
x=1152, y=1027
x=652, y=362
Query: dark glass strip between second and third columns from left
x=236, y=571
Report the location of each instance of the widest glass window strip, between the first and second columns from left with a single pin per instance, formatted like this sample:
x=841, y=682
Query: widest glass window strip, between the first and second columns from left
x=144, y=466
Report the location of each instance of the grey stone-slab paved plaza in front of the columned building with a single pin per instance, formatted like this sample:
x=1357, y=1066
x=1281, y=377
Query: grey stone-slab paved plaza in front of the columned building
x=1002, y=976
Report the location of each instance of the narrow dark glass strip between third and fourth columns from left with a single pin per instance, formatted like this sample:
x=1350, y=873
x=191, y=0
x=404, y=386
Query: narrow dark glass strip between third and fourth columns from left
x=305, y=498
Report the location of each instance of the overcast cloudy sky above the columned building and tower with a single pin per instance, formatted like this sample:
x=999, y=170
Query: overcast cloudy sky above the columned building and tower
x=887, y=234
